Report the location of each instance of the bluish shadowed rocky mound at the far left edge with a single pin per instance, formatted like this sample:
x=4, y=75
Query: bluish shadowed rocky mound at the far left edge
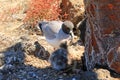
x=11, y=58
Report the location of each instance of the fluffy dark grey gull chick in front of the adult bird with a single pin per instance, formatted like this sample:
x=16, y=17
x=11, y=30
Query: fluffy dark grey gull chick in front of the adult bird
x=59, y=59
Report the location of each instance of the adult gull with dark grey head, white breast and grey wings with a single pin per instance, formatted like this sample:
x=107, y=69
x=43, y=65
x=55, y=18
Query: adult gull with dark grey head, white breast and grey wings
x=57, y=32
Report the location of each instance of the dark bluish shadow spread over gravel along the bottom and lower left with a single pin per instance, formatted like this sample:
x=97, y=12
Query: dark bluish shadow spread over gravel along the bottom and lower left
x=13, y=67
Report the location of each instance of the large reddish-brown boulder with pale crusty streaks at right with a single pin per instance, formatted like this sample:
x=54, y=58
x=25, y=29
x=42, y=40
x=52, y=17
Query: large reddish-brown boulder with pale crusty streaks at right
x=102, y=41
